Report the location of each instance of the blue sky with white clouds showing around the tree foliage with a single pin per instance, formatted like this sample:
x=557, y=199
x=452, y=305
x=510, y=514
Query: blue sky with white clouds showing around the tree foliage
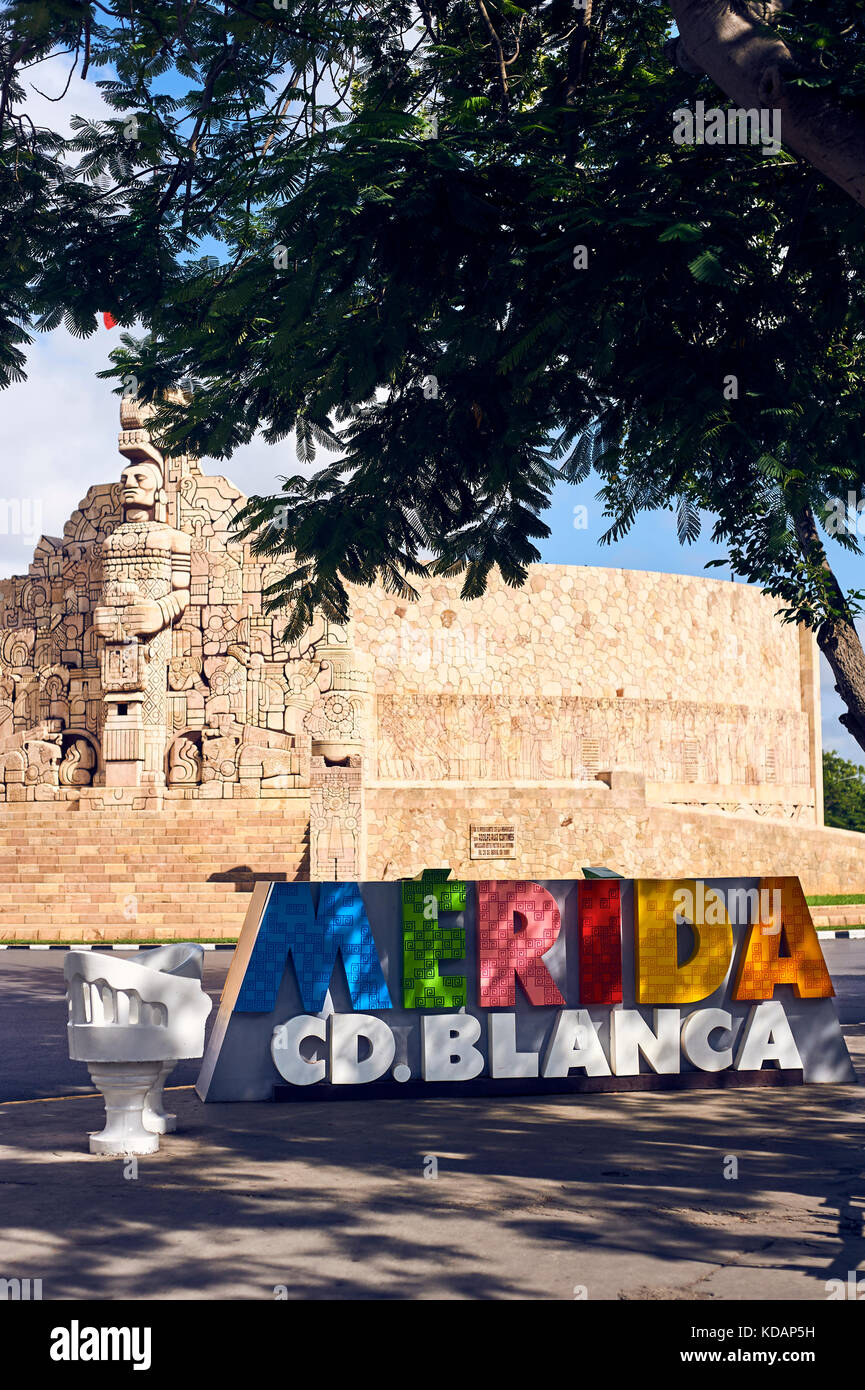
x=60, y=436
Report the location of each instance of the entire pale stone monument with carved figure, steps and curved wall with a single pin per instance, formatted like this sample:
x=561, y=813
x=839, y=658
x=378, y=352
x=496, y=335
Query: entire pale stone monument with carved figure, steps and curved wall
x=162, y=749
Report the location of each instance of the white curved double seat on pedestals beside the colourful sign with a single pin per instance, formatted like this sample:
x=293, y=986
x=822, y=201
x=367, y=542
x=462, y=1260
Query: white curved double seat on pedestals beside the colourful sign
x=131, y=1021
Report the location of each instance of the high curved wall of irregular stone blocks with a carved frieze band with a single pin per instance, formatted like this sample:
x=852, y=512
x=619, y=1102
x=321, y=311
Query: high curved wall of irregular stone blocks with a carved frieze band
x=693, y=683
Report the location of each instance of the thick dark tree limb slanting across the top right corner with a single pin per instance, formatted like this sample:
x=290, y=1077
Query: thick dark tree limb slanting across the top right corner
x=752, y=67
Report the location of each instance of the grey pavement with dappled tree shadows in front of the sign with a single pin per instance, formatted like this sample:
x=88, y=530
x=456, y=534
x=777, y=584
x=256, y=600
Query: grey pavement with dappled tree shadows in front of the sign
x=621, y=1195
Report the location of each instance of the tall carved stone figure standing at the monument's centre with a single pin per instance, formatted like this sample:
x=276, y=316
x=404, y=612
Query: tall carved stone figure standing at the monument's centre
x=147, y=582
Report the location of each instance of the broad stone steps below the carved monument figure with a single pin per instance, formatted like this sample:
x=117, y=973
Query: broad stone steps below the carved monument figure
x=184, y=872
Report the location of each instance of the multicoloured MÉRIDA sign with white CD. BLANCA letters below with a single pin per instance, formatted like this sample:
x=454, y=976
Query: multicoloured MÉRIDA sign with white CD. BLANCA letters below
x=344, y=989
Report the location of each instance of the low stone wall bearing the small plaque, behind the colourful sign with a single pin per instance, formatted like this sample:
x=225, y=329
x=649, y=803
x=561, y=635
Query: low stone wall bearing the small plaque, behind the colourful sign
x=560, y=831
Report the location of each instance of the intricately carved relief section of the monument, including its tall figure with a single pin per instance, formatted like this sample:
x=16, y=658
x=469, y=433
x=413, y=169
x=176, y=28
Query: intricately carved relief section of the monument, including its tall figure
x=137, y=655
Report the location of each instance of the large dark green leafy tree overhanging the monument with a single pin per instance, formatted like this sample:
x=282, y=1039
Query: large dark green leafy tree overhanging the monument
x=461, y=247
